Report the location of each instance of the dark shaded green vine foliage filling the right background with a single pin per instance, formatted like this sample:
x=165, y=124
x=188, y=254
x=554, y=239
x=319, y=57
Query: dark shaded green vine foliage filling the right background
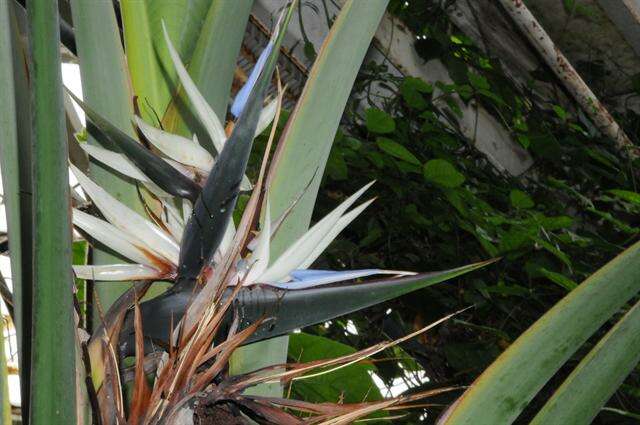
x=441, y=204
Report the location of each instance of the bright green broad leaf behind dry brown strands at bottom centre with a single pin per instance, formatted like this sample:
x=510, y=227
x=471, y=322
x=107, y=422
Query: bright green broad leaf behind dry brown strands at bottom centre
x=352, y=384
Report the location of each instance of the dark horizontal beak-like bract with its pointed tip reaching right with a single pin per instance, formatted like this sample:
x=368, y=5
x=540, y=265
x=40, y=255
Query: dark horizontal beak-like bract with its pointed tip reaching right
x=289, y=309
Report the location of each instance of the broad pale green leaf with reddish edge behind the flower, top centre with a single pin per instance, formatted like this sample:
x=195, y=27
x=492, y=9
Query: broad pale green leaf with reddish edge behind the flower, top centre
x=310, y=132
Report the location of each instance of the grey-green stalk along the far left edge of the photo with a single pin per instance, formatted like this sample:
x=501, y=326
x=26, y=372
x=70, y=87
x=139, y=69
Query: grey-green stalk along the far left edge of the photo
x=15, y=149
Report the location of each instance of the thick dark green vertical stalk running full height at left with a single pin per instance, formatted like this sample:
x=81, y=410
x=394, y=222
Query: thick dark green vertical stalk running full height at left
x=53, y=360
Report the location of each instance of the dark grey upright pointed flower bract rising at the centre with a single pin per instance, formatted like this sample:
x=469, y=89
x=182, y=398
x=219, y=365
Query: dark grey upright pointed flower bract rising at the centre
x=213, y=210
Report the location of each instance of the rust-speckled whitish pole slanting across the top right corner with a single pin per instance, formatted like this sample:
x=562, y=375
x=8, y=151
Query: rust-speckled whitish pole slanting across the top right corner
x=587, y=100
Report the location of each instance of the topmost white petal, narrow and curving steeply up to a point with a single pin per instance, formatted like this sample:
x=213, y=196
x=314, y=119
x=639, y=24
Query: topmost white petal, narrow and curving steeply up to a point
x=207, y=117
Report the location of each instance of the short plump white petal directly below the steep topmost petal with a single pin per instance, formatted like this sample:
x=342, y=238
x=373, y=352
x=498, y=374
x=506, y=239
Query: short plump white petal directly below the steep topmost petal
x=177, y=147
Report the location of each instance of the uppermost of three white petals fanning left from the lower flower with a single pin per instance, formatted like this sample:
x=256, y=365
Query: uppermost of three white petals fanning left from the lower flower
x=148, y=234
